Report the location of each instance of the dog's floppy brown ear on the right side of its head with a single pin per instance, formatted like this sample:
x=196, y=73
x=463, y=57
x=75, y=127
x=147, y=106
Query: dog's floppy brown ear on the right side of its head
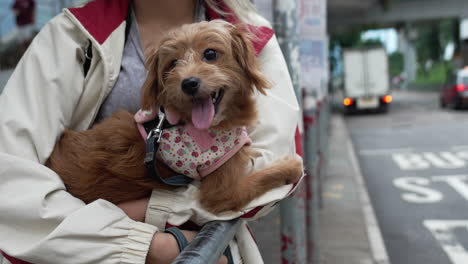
x=244, y=53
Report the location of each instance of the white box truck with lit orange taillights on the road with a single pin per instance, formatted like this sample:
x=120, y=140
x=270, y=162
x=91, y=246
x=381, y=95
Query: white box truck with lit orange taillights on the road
x=366, y=79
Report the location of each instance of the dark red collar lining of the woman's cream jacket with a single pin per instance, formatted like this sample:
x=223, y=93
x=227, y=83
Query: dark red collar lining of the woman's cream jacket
x=102, y=17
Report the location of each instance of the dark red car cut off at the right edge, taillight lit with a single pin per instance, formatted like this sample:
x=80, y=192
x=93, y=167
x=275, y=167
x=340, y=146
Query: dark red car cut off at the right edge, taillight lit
x=455, y=92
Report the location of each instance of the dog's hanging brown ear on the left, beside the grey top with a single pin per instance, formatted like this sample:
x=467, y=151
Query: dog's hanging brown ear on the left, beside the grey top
x=150, y=89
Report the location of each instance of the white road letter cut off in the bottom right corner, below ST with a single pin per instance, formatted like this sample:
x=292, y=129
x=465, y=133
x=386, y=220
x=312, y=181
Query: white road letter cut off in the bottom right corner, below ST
x=442, y=230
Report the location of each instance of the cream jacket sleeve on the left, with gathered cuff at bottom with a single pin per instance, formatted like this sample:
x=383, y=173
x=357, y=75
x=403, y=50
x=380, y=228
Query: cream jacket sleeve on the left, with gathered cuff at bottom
x=39, y=221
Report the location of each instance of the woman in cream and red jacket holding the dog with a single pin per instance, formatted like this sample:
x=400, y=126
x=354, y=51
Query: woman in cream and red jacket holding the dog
x=85, y=64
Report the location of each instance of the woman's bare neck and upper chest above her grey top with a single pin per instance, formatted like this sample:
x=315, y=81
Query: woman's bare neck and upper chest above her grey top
x=155, y=17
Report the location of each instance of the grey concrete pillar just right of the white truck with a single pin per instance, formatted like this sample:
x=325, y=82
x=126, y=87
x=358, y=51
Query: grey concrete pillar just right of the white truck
x=405, y=37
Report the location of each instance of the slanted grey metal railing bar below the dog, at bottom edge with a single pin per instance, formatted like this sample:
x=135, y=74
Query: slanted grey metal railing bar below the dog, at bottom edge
x=210, y=243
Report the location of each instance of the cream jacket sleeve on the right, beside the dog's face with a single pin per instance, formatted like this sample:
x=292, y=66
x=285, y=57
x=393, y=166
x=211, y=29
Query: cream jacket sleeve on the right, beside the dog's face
x=278, y=111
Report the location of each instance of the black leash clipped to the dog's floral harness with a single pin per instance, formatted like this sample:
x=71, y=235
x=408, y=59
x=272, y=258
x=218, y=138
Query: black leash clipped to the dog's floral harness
x=155, y=129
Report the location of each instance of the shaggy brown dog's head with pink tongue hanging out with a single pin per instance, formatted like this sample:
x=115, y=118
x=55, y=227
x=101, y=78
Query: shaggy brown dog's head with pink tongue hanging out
x=205, y=73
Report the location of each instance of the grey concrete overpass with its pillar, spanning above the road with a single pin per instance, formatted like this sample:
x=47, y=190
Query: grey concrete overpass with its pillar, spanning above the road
x=345, y=14
